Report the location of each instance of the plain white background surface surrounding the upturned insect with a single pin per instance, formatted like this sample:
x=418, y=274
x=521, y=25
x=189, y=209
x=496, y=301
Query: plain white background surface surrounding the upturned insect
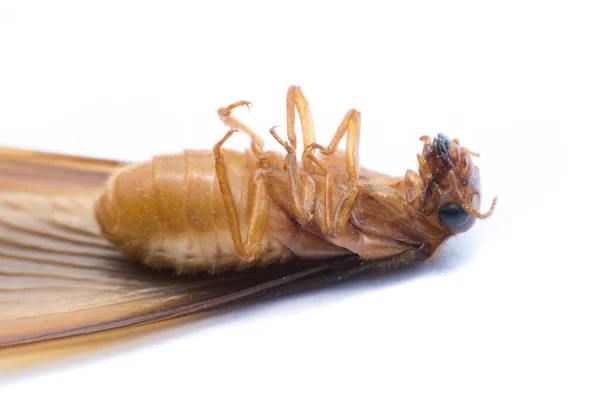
x=507, y=310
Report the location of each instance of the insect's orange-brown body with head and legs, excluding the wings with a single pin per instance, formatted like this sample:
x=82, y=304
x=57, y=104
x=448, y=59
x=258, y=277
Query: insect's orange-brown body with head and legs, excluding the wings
x=221, y=210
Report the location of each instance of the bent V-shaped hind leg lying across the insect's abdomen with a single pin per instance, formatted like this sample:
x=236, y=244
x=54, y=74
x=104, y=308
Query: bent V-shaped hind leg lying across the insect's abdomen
x=259, y=207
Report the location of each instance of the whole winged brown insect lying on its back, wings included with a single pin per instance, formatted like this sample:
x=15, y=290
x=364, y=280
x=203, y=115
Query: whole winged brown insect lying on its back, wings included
x=73, y=230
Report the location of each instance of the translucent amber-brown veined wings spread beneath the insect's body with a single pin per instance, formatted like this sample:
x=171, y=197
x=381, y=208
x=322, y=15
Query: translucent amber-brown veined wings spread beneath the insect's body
x=59, y=277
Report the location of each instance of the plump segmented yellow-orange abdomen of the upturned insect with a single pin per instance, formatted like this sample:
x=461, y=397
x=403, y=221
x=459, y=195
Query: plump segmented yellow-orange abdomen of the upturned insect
x=169, y=212
